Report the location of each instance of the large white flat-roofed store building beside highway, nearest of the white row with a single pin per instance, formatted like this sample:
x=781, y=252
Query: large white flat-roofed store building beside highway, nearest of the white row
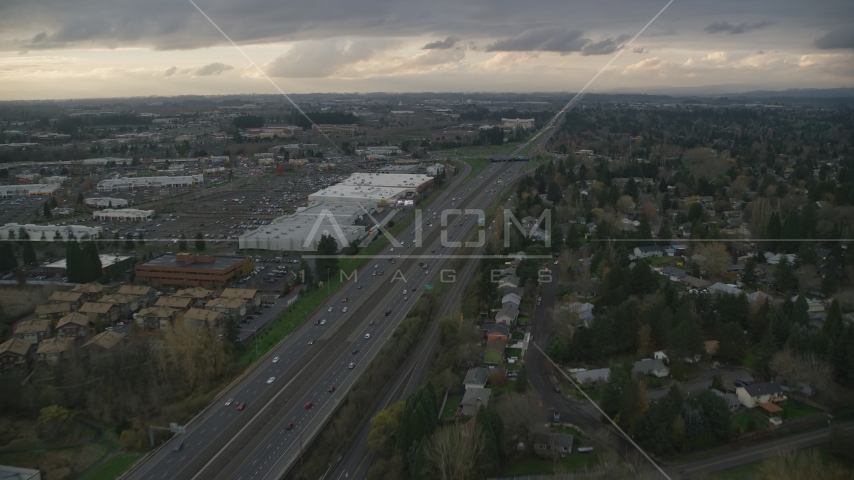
x=300, y=231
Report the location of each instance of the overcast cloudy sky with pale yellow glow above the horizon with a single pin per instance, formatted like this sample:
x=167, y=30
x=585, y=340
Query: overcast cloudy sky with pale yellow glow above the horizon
x=108, y=48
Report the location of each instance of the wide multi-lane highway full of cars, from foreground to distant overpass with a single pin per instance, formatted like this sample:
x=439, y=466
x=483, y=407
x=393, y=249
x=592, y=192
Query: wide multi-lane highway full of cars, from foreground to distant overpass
x=254, y=442
